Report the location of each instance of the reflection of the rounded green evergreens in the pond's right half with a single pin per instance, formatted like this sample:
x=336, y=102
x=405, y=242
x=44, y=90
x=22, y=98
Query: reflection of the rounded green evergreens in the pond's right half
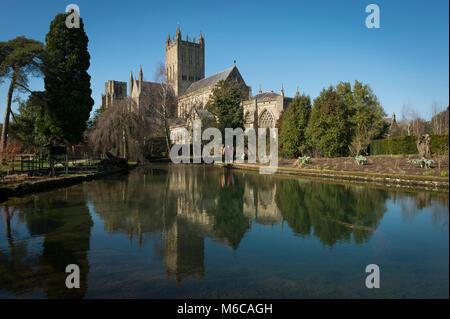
x=335, y=212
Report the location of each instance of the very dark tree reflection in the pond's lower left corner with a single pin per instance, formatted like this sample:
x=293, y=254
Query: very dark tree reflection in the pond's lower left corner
x=63, y=220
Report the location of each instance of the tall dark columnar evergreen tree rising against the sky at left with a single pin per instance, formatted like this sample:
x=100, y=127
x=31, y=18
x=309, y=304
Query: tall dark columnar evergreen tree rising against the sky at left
x=67, y=82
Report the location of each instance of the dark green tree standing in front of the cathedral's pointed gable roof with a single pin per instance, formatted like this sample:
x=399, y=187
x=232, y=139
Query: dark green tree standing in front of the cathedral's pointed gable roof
x=225, y=104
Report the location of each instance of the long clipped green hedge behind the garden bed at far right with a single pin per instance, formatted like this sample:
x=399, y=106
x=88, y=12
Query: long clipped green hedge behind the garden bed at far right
x=407, y=145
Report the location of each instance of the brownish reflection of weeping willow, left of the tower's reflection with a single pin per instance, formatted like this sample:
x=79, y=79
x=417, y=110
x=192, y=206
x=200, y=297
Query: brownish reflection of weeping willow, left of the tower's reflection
x=136, y=206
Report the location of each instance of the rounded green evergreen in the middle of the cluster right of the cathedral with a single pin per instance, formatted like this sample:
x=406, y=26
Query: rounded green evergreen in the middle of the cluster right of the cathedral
x=329, y=126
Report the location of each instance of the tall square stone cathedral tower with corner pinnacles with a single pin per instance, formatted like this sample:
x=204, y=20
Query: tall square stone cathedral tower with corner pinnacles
x=185, y=61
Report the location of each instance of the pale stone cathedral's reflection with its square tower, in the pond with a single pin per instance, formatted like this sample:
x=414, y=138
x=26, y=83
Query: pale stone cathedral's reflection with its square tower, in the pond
x=198, y=211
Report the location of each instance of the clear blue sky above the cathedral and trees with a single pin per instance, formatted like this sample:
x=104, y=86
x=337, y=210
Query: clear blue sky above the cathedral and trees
x=310, y=44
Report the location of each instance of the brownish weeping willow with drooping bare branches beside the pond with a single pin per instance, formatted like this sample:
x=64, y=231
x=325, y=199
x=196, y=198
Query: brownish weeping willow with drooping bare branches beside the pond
x=122, y=130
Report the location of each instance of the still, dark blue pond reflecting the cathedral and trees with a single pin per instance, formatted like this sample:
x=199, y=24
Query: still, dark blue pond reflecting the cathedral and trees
x=198, y=231
